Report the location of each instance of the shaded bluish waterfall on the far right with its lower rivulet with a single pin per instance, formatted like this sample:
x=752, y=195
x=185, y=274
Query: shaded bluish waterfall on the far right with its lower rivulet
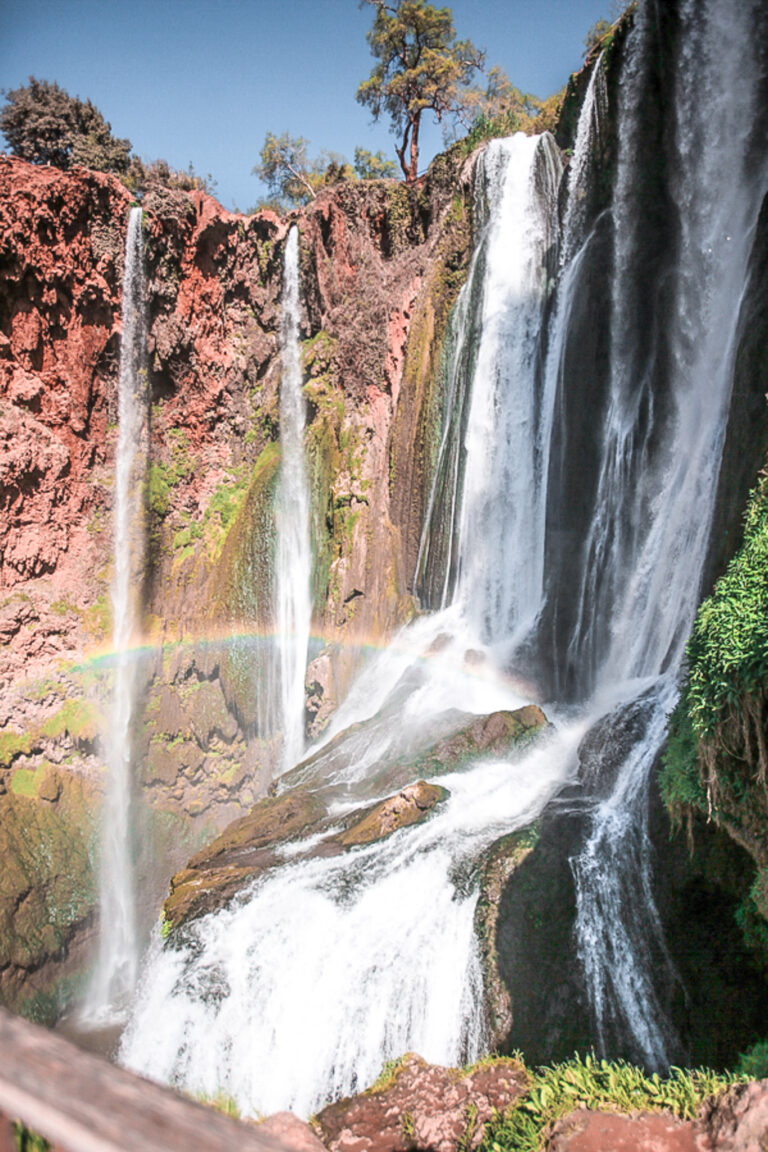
x=651, y=533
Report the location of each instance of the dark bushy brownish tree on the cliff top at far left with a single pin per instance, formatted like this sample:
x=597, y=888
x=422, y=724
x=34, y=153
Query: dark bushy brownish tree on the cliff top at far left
x=45, y=125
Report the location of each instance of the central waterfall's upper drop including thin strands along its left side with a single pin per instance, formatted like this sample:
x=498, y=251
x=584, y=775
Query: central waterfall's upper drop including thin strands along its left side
x=496, y=438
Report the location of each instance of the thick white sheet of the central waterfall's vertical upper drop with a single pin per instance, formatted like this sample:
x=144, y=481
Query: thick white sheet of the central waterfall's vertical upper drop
x=500, y=537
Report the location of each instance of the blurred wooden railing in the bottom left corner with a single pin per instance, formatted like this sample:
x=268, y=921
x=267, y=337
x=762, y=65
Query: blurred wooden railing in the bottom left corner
x=83, y=1104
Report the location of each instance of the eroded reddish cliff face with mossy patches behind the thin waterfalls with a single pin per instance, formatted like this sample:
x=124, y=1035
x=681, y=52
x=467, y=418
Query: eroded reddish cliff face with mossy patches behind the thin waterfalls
x=381, y=267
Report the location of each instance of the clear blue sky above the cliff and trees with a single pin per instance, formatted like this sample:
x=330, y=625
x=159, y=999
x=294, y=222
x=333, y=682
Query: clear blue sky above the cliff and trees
x=203, y=81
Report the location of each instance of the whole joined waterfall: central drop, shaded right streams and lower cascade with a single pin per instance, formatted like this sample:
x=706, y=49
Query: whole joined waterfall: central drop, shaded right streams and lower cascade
x=325, y=968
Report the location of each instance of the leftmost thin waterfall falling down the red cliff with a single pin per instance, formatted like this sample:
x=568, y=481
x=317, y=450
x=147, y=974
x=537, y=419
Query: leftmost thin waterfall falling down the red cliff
x=115, y=979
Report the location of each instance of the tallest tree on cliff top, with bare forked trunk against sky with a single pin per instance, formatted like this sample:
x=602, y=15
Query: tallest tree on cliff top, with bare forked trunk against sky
x=422, y=67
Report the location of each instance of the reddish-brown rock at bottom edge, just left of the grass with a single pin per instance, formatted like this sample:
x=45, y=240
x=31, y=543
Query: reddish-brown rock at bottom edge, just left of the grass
x=422, y=1106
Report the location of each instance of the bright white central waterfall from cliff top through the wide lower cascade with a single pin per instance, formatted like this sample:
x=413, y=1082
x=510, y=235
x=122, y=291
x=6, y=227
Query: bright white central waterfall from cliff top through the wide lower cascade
x=330, y=967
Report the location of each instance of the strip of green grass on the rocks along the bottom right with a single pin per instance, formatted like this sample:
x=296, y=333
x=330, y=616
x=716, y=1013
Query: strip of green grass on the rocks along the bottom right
x=597, y=1085
